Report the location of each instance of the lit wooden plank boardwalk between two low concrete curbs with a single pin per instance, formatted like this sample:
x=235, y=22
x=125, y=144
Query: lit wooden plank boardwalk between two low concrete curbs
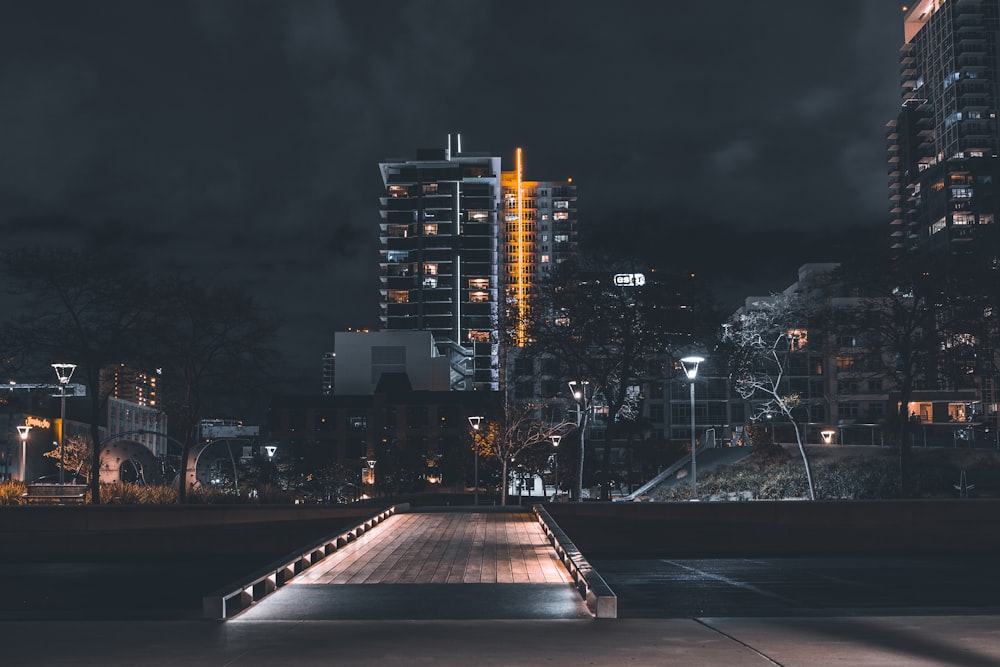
x=445, y=548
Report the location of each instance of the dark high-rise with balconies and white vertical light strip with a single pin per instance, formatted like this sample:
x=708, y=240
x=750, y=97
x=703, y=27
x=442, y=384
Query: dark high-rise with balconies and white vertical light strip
x=439, y=264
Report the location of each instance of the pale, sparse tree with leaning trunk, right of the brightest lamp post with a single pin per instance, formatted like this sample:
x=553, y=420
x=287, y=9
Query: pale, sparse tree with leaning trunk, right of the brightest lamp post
x=761, y=339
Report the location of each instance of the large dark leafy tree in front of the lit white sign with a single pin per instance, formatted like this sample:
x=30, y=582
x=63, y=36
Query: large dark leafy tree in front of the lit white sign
x=614, y=336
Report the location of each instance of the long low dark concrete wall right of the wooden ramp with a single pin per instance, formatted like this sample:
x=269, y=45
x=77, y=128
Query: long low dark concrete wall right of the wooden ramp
x=789, y=528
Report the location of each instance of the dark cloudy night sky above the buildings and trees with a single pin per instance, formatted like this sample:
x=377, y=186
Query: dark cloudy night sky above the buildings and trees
x=240, y=139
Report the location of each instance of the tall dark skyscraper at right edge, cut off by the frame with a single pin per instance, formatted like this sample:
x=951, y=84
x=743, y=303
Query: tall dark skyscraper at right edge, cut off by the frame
x=944, y=168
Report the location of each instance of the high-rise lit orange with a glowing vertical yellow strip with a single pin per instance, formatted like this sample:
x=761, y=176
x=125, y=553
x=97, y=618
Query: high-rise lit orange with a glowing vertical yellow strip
x=539, y=223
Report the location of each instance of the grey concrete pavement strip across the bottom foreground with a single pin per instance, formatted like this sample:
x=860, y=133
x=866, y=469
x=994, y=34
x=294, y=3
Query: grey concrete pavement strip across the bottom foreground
x=918, y=641
